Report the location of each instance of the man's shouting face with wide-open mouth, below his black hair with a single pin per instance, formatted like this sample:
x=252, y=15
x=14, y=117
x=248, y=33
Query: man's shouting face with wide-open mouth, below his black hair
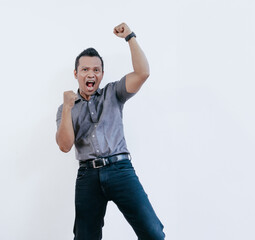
x=89, y=75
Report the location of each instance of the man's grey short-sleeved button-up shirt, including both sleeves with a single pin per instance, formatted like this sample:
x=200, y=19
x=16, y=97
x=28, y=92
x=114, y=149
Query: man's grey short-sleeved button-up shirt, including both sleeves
x=97, y=123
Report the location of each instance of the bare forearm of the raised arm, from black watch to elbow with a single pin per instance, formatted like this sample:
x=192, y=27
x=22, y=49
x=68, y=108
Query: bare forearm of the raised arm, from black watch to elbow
x=139, y=60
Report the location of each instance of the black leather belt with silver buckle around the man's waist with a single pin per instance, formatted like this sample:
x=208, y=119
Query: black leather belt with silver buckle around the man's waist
x=101, y=162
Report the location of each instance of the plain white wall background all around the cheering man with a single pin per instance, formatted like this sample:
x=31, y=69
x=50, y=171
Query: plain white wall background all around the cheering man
x=190, y=129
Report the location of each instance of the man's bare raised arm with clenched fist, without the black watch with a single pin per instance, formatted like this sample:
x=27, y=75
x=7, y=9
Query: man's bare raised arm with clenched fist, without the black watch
x=135, y=79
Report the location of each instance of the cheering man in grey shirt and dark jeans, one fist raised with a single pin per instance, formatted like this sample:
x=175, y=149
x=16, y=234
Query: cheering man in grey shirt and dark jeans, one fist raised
x=92, y=120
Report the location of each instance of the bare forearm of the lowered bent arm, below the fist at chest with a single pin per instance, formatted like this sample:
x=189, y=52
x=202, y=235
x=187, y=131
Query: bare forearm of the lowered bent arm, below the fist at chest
x=65, y=133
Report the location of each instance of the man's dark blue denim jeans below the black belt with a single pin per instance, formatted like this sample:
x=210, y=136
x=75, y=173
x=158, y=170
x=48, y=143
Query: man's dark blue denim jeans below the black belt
x=119, y=183
